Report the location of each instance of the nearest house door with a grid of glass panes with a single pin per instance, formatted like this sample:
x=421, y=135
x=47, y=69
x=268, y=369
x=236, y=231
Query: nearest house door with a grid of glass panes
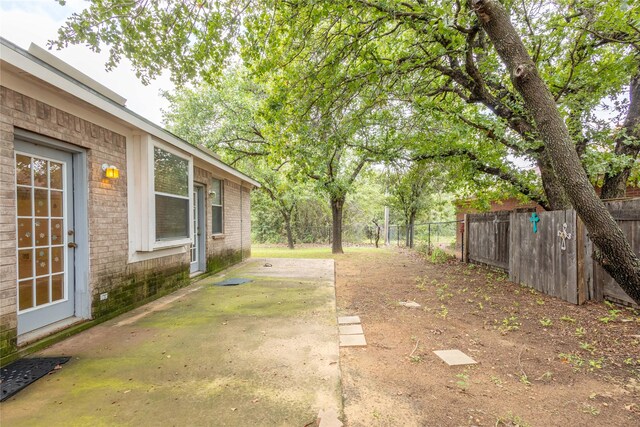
x=44, y=199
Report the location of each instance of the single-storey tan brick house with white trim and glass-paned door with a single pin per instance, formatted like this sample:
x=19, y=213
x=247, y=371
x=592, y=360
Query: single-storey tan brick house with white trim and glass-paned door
x=100, y=209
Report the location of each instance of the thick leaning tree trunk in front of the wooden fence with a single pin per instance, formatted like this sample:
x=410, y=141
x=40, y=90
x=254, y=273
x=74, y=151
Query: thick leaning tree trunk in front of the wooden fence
x=613, y=250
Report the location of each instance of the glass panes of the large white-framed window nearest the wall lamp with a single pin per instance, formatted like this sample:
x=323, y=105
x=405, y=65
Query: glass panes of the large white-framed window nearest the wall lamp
x=171, y=187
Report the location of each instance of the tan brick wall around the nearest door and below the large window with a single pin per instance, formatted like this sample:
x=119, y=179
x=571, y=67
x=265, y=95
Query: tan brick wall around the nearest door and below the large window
x=128, y=284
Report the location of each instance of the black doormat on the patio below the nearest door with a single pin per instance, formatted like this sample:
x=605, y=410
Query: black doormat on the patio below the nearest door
x=19, y=374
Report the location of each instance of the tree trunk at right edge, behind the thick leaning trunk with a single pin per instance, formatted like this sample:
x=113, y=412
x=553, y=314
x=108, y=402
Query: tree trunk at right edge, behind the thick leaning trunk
x=628, y=143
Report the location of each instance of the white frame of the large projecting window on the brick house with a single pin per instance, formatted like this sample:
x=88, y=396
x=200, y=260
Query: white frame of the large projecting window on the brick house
x=144, y=196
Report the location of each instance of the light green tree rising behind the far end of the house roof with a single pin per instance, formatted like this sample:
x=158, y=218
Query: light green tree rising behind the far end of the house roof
x=226, y=119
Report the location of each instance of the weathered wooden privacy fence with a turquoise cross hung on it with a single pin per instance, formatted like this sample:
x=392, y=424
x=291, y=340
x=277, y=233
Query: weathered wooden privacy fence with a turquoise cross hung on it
x=555, y=258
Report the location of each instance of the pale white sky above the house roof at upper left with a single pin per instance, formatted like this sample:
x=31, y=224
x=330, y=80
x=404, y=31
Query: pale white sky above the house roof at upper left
x=25, y=21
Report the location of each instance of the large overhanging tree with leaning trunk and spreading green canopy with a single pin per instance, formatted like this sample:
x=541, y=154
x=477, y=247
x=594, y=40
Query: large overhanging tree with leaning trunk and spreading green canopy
x=481, y=83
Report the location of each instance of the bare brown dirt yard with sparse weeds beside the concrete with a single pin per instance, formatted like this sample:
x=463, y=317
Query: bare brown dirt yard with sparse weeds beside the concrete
x=541, y=361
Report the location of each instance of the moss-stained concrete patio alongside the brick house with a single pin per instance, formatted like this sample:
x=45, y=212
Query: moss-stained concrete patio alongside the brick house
x=262, y=353
